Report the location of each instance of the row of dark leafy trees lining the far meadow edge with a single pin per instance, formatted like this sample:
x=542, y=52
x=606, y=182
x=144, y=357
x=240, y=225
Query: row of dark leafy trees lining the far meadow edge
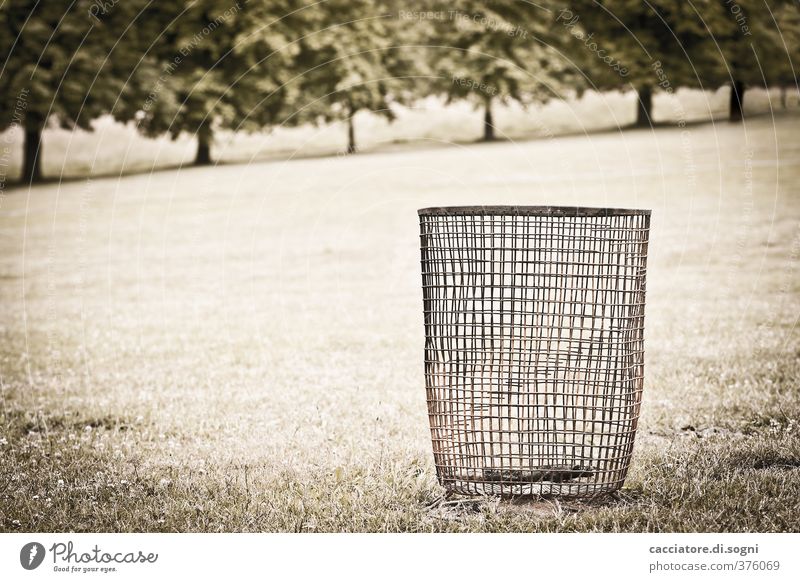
x=198, y=66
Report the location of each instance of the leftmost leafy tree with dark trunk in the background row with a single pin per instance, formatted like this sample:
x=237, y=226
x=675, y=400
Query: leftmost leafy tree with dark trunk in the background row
x=65, y=64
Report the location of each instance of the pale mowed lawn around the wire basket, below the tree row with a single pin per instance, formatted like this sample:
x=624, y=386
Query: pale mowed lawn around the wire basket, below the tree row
x=240, y=348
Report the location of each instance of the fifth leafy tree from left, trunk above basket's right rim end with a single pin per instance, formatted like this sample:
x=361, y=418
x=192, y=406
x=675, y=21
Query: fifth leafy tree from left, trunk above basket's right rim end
x=643, y=46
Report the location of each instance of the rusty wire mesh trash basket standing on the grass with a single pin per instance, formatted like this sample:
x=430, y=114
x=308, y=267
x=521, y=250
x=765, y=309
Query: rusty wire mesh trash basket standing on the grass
x=534, y=321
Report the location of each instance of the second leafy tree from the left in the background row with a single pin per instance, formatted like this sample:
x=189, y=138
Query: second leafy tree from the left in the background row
x=220, y=67
